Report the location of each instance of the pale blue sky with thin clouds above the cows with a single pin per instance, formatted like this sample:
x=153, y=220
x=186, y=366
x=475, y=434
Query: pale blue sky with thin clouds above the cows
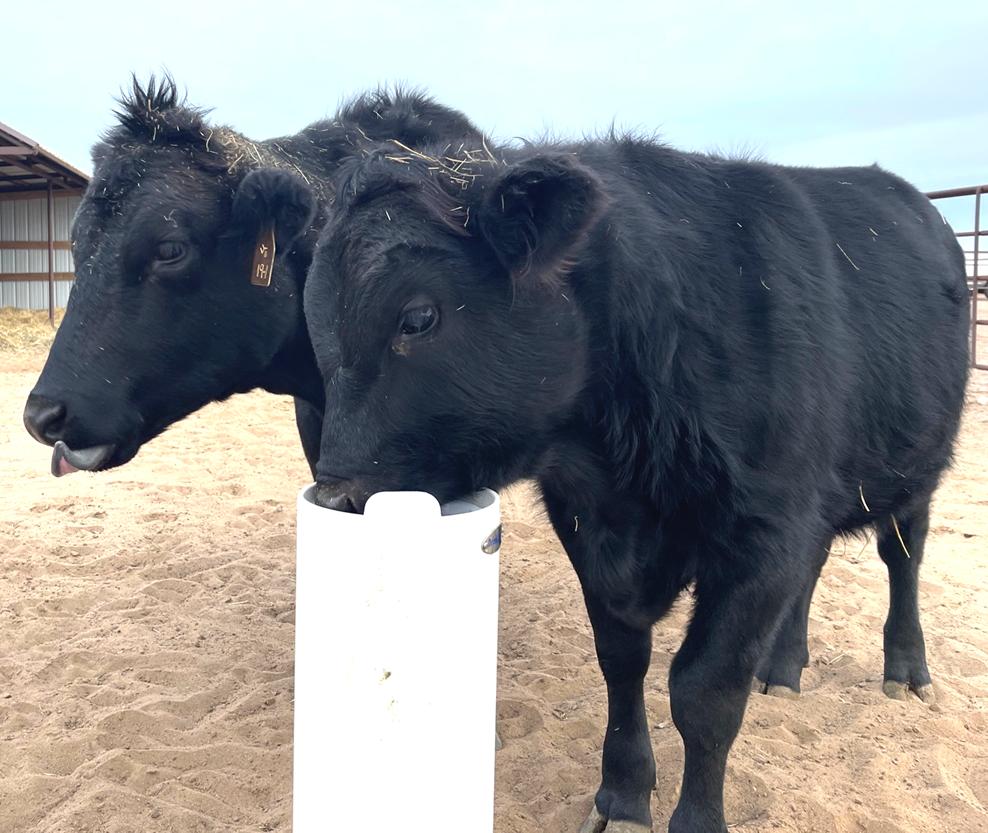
x=904, y=85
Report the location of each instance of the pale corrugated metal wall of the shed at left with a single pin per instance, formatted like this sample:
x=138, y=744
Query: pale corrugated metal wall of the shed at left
x=27, y=220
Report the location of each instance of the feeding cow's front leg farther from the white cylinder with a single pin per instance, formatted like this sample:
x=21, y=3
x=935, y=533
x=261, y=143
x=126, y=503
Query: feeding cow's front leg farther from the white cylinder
x=737, y=611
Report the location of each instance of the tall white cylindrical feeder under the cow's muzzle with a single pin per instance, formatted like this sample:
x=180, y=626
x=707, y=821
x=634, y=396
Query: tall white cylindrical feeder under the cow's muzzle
x=396, y=664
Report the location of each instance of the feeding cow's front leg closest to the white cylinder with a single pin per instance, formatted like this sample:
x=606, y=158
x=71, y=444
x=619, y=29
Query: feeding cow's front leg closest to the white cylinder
x=627, y=765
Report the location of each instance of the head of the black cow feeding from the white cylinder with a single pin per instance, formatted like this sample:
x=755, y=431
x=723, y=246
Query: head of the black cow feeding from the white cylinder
x=442, y=320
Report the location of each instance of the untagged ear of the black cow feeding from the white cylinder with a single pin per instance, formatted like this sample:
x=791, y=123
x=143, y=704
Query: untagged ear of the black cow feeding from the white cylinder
x=539, y=212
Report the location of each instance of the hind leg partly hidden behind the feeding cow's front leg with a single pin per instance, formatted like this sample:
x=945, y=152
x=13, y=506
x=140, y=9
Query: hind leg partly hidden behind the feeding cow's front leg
x=782, y=664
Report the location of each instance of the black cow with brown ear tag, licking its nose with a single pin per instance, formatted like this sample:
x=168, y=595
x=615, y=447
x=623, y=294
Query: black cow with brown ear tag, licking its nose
x=163, y=317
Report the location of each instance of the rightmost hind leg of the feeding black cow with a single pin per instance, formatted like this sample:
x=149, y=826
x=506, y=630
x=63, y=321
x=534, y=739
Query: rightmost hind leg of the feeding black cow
x=905, y=648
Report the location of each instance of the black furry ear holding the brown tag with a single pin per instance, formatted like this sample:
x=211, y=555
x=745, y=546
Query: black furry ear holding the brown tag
x=270, y=197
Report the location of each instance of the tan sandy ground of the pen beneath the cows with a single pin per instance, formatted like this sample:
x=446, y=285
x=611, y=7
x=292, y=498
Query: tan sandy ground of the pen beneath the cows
x=146, y=621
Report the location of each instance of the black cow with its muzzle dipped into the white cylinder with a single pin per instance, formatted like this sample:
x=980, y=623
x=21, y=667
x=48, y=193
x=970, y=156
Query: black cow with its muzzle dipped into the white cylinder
x=711, y=366
